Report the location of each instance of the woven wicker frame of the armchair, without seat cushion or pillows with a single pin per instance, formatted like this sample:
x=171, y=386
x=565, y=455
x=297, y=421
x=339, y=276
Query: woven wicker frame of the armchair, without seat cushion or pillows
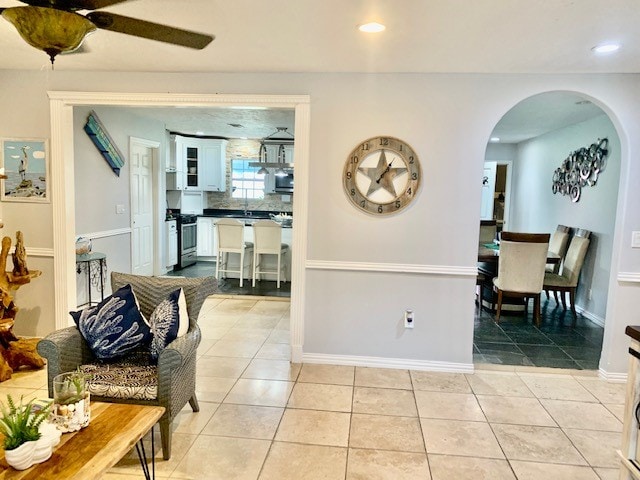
x=66, y=350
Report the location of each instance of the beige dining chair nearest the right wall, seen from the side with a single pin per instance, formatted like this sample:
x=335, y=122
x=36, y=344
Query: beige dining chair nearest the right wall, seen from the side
x=567, y=281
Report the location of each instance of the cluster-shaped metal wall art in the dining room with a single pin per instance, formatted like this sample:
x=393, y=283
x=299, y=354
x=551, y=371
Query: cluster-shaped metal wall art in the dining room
x=580, y=169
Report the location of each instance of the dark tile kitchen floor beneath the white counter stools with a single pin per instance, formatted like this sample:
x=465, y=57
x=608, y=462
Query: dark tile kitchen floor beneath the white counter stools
x=231, y=286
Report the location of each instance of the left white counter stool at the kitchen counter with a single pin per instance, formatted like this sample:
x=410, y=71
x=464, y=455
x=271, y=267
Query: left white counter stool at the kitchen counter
x=231, y=240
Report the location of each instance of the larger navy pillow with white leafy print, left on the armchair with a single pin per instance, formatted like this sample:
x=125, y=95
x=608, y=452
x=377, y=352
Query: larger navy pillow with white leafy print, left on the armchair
x=114, y=327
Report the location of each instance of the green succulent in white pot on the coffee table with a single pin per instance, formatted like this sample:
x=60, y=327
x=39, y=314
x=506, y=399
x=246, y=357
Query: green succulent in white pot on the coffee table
x=20, y=425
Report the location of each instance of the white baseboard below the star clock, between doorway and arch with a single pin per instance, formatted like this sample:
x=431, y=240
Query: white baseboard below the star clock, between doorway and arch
x=381, y=362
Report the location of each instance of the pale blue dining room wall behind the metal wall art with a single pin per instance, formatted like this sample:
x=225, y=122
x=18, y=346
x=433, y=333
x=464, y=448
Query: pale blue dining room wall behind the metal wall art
x=536, y=209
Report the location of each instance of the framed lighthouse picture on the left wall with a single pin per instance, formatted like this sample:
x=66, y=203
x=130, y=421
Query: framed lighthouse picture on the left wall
x=25, y=164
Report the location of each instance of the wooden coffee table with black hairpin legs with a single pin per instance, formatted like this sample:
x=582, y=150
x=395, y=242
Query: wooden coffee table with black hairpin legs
x=115, y=428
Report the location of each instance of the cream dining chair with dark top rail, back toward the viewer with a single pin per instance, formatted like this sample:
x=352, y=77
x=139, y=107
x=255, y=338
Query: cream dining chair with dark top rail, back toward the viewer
x=523, y=257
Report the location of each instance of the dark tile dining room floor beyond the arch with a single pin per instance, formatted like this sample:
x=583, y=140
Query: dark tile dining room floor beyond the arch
x=557, y=343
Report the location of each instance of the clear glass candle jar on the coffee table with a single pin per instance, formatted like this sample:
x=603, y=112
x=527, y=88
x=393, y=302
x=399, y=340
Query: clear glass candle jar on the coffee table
x=71, y=410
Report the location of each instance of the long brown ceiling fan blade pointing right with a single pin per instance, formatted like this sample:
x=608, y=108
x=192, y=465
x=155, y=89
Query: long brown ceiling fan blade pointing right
x=150, y=30
